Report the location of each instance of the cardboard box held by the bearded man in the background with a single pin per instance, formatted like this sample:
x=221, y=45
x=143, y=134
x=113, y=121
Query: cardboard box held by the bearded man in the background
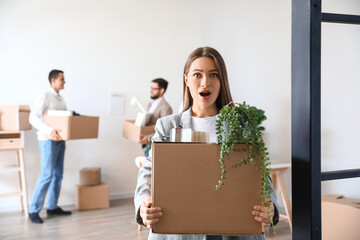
x=133, y=132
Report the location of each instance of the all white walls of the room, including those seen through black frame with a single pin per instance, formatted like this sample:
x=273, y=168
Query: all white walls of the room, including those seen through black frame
x=122, y=45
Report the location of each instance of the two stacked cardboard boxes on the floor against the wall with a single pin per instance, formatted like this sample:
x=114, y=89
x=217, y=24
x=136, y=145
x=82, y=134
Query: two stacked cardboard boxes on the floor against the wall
x=91, y=193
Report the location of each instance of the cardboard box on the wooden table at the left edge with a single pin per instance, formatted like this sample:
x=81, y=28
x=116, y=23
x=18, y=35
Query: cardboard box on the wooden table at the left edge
x=14, y=117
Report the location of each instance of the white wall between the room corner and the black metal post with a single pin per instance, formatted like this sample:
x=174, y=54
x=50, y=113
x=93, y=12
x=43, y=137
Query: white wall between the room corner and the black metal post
x=256, y=46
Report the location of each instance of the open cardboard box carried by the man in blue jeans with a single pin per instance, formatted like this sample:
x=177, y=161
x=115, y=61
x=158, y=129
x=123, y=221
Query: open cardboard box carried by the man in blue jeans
x=74, y=127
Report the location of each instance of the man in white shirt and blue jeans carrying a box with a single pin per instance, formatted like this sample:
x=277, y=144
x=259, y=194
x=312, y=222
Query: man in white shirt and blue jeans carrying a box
x=52, y=149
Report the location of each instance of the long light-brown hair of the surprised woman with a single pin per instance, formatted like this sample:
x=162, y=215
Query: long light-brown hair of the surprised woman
x=224, y=94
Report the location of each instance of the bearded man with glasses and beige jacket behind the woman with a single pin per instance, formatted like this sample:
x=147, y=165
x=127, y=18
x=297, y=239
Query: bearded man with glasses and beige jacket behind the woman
x=158, y=107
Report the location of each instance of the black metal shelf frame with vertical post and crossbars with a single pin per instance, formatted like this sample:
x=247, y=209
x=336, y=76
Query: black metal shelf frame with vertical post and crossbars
x=307, y=19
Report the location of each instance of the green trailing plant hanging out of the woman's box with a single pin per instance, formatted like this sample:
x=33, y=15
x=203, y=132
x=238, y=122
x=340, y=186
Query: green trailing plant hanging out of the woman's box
x=241, y=124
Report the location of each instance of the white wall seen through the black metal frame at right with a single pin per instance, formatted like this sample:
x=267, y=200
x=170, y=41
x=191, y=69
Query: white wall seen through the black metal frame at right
x=340, y=98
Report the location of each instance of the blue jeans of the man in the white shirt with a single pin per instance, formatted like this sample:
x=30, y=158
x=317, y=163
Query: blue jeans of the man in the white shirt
x=52, y=166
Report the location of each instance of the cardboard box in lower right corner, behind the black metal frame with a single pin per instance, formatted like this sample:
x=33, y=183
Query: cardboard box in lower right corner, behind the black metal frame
x=340, y=218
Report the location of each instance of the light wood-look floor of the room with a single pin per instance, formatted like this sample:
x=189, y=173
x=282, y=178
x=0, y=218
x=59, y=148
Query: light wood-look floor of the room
x=116, y=222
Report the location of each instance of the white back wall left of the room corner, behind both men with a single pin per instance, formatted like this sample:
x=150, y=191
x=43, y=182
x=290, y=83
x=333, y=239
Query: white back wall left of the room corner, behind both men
x=102, y=47
